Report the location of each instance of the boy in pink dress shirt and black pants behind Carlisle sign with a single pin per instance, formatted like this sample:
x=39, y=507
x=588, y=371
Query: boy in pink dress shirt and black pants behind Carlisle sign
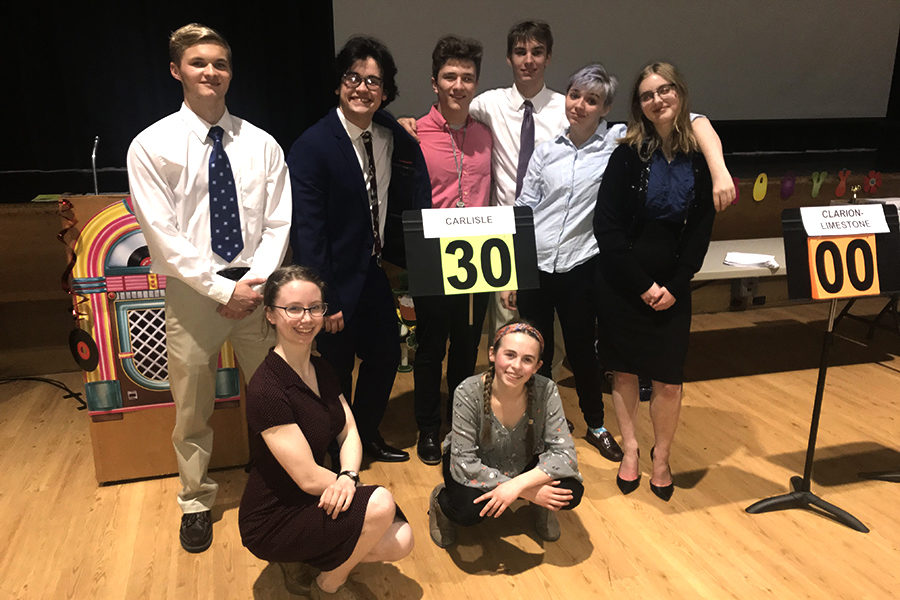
x=457, y=150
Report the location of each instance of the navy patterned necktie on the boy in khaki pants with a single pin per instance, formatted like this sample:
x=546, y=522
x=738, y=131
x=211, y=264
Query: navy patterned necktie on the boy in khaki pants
x=224, y=217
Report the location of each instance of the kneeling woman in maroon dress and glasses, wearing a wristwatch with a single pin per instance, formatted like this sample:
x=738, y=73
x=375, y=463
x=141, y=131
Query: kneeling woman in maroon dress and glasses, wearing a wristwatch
x=294, y=511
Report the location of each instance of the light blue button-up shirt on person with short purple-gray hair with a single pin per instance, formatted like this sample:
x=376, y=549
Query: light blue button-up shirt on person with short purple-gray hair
x=560, y=187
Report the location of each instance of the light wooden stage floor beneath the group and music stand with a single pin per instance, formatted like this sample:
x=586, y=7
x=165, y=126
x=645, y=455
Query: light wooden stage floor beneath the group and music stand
x=747, y=405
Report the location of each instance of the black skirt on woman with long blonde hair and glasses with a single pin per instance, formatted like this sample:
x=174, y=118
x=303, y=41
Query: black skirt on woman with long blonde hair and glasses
x=634, y=338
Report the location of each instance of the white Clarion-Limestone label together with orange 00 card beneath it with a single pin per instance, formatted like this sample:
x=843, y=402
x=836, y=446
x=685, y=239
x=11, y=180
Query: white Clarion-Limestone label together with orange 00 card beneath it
x=843, y=266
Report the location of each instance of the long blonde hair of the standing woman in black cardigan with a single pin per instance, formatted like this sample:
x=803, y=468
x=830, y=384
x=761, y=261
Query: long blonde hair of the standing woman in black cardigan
x=641, y=134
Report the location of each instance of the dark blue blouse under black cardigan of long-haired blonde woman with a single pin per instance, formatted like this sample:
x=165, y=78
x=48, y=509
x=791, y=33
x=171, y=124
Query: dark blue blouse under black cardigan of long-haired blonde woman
x=670, y=188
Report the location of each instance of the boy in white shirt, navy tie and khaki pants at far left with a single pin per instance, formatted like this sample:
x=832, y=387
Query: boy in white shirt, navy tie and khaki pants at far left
x=213, y=198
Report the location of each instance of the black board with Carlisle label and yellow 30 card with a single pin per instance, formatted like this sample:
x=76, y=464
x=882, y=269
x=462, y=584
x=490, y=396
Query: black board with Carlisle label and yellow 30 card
x=470, y=250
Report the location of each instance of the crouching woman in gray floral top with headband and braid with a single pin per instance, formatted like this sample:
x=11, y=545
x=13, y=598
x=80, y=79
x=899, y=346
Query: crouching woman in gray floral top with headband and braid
x=509, y=441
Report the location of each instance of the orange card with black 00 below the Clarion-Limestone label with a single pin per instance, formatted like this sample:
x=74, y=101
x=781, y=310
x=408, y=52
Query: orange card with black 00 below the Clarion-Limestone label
x=842, y=267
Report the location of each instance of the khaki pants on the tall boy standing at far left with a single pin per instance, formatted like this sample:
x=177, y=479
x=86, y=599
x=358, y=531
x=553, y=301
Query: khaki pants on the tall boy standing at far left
x=195, y=333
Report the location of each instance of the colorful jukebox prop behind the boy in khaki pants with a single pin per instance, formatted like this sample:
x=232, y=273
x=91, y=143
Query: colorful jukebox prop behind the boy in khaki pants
x=120, y=343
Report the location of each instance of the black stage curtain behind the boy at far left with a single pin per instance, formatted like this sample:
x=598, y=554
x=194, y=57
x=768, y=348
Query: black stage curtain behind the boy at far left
x=75, y=70
